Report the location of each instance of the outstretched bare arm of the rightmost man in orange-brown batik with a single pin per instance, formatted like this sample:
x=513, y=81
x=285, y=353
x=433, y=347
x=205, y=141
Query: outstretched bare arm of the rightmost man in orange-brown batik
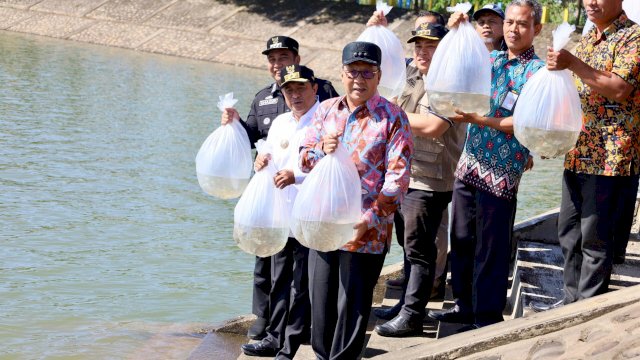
x=609, y=84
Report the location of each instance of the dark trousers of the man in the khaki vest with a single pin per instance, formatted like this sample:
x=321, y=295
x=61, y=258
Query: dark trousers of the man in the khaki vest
x=422, y=213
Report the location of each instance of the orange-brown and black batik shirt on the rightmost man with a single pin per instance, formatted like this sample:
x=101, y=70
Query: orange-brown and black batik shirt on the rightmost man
x=609, y=143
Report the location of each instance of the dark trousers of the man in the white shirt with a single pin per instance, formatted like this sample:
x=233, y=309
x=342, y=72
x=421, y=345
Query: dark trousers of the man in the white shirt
x=290, y=319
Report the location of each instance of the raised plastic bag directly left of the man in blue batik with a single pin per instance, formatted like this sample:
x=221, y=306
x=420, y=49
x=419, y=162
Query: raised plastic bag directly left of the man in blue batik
x=459, y=76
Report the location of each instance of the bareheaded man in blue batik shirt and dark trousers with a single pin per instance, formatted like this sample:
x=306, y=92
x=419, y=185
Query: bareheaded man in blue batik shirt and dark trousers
x=487, y=179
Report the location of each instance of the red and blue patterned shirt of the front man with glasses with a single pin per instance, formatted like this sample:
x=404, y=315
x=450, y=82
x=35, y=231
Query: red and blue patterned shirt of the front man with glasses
x=378, y=137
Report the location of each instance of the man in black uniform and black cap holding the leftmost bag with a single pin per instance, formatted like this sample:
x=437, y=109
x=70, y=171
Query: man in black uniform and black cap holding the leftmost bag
x=269, y=102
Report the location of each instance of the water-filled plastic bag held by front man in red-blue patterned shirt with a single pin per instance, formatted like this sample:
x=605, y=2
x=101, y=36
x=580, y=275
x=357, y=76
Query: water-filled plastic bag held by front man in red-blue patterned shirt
x=329, y=203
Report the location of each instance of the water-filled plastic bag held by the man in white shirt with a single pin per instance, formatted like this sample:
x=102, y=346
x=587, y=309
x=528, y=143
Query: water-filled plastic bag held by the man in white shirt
x=261, y=217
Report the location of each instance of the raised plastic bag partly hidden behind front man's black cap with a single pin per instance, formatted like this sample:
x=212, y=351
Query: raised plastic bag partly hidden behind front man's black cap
x=393, y=65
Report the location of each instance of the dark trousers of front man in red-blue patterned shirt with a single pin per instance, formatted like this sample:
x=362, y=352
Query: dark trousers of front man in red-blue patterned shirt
x=341, y=288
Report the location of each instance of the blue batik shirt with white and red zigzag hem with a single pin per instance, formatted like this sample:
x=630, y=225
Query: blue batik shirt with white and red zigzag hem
x=493, y=161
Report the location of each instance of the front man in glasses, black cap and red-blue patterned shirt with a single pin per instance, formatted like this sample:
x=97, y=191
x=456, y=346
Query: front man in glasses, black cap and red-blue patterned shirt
x=376, y=133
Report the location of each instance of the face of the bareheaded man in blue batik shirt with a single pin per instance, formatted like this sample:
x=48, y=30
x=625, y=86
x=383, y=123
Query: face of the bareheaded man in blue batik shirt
x=519, y=29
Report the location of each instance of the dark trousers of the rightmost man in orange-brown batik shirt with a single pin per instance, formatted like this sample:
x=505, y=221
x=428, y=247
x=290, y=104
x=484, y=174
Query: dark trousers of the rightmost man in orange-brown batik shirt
x=588, y=216
